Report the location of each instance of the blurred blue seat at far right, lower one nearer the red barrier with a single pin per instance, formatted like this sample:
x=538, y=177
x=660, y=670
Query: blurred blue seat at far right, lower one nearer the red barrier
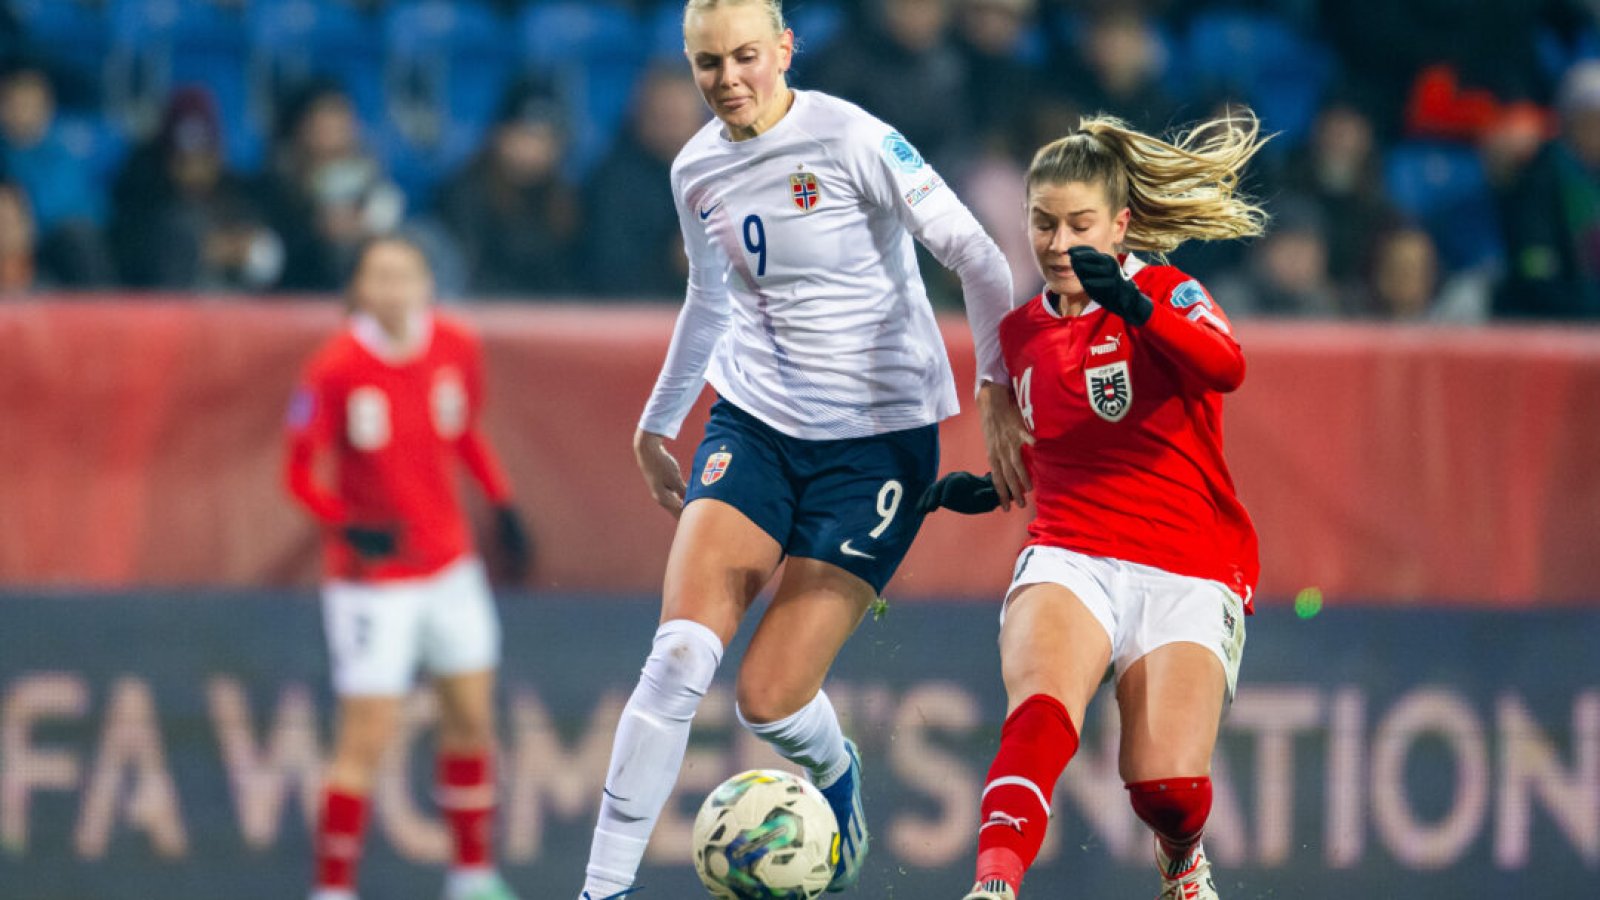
x=1446, y=190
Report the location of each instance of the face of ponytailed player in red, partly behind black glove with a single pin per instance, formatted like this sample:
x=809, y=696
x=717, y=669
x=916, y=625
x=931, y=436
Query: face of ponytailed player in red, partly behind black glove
x=1066, y=215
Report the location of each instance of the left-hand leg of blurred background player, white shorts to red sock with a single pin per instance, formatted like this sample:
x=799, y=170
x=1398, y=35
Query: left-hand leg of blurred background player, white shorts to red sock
x=374, y=645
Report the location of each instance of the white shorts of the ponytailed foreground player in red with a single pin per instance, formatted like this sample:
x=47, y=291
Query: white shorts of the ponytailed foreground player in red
x=1142, y=608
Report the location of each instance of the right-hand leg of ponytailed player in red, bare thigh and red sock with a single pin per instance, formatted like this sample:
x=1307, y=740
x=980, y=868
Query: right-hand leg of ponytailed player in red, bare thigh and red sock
x=1172, y=705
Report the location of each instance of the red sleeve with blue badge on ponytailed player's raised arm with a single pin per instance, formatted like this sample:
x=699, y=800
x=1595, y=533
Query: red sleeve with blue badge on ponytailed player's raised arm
x=1191, y=331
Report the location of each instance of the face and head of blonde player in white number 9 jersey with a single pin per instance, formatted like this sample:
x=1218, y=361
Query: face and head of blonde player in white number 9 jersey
x=740, y=66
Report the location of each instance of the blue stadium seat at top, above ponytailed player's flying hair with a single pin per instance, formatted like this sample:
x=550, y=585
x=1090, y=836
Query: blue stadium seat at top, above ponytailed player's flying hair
x=1262, y=58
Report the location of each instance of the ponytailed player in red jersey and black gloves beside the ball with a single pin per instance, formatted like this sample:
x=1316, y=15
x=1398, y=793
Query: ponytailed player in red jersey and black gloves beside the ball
x=1140, y=555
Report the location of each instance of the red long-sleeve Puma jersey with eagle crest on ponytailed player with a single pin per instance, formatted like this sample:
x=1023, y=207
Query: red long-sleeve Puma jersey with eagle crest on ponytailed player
x=1129, y=425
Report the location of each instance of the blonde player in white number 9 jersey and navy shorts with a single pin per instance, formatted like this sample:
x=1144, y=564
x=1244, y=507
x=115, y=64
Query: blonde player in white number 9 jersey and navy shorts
x=807, y=315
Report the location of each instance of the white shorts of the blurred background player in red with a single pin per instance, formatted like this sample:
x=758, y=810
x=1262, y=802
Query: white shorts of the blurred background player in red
x=382, y=633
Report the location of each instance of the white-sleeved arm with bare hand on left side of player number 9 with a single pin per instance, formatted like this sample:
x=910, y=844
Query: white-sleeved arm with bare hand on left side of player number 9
x=703, y=321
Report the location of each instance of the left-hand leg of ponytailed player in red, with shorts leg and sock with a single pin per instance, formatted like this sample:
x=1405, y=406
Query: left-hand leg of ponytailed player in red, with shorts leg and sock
x=1055, y=649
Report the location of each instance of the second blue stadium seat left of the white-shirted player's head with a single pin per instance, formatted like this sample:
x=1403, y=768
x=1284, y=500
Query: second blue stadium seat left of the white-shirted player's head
x=446, y=71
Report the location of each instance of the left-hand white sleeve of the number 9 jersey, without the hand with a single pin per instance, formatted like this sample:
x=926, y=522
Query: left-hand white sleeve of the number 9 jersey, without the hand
x=702, y=326
